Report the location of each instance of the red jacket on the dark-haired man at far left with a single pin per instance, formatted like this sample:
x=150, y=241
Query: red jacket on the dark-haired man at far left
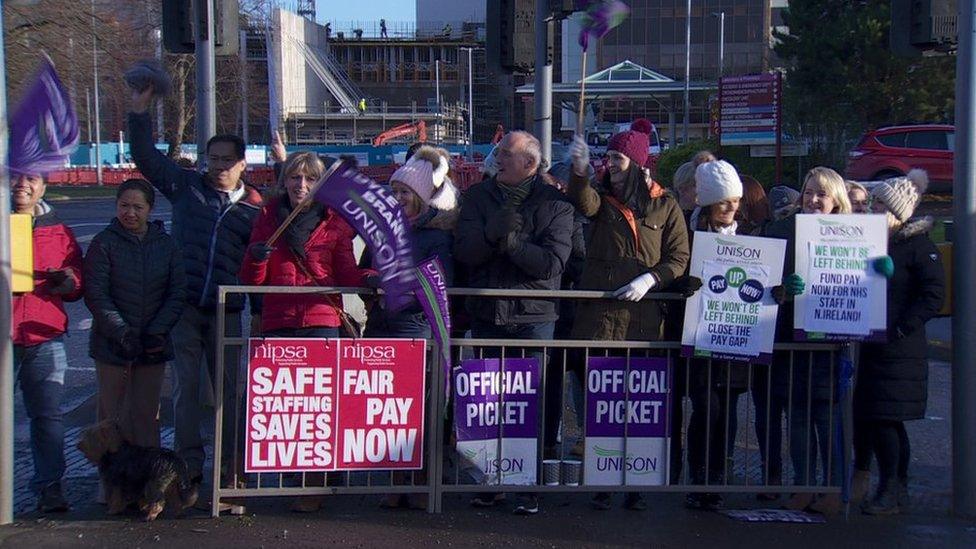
x=39, y=316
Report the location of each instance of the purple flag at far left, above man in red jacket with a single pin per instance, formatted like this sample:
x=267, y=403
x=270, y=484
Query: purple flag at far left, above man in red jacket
x=44, y=127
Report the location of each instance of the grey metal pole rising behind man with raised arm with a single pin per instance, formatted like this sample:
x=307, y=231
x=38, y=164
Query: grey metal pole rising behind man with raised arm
x=206, y=91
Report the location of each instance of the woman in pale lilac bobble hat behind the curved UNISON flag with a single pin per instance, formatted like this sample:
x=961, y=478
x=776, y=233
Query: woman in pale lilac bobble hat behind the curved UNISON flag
x=429, y=199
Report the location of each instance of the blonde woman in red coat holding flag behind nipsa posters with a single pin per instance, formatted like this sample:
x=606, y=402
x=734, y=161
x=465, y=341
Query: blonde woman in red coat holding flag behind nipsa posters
x=315, y=250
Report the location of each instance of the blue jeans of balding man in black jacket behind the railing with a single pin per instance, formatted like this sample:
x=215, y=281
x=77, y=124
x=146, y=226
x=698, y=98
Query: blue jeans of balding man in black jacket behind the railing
x=554, y=378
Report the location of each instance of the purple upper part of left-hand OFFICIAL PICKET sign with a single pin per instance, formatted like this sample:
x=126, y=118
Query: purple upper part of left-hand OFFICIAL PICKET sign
x=485, y=397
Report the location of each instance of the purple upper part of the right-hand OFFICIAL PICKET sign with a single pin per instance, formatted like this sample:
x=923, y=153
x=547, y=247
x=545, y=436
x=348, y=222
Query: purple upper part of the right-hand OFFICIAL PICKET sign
x=641, y=403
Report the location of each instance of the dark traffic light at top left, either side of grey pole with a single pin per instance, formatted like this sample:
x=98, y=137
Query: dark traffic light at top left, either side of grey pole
x=178, y=17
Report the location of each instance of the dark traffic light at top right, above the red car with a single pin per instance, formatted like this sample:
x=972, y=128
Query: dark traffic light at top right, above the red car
x=920, y=27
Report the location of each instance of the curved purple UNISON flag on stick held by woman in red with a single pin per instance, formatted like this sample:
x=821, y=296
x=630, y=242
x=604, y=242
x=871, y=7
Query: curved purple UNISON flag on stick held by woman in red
x=376, y=215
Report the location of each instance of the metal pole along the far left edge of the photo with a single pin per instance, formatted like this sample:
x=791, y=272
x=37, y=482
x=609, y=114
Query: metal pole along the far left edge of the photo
x=6, y=348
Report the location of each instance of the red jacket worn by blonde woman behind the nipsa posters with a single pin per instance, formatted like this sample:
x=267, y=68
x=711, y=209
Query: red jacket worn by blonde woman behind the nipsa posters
x=329, y=259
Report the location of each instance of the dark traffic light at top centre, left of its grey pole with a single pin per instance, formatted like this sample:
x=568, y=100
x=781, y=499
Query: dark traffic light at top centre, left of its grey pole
x=510, y=35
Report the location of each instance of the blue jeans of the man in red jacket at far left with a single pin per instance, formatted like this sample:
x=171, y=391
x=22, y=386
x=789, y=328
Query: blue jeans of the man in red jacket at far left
x=40, y=371
